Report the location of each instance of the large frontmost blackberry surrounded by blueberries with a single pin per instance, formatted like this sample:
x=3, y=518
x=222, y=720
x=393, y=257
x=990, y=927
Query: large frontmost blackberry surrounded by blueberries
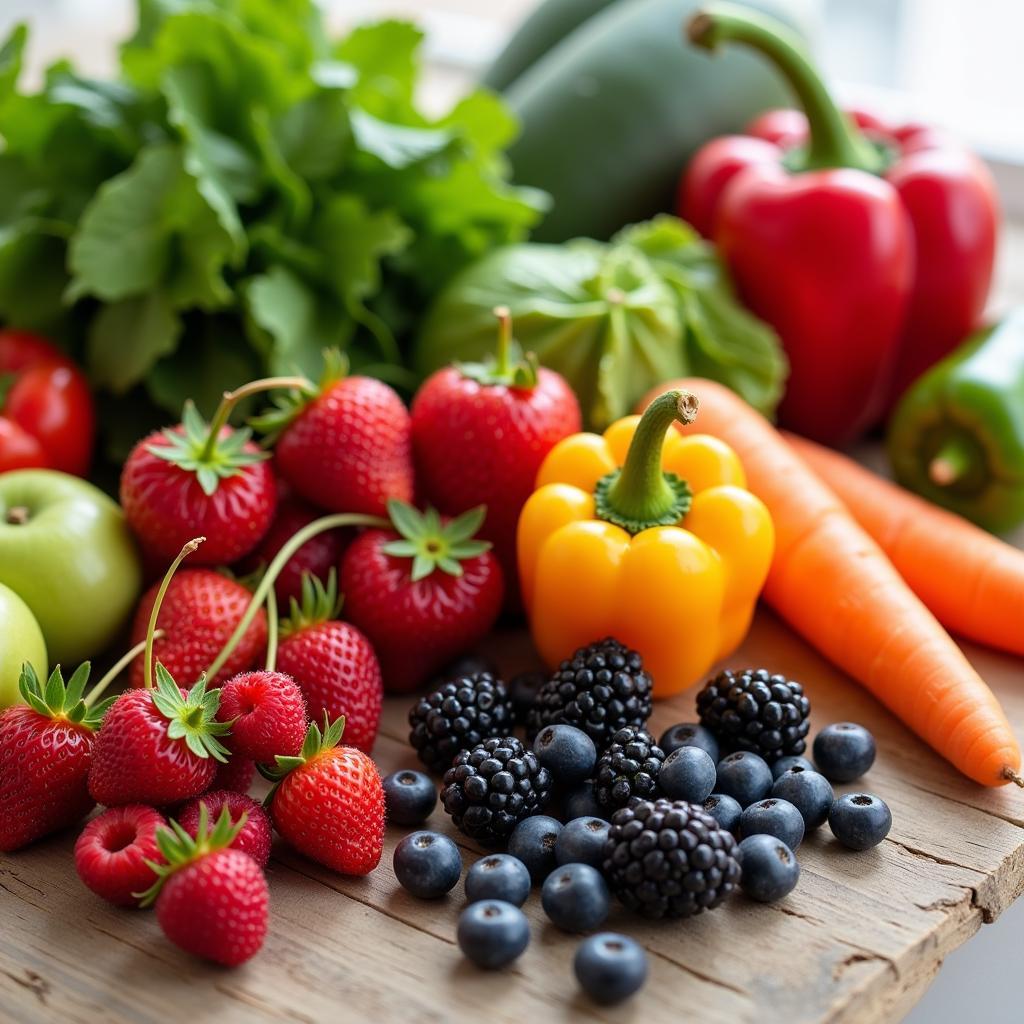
x=668, y=859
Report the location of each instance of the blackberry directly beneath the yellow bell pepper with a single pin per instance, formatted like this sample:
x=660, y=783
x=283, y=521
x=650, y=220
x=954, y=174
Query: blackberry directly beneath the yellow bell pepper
x=601, y=690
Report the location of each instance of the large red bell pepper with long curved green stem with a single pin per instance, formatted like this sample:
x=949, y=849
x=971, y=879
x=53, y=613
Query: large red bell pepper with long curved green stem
x=869, y=248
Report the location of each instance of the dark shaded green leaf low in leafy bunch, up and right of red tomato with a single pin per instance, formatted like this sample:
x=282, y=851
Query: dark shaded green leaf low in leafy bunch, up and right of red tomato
x=126, y=340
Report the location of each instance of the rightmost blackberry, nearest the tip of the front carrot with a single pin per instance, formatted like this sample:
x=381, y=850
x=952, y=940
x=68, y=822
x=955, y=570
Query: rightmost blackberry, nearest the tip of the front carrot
x=756, y=711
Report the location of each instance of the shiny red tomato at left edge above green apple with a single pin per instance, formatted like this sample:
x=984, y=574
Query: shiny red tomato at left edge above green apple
x=47, y=412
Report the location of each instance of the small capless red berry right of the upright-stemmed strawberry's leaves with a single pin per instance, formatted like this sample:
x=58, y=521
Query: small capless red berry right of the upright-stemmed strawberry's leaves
x=268, y=715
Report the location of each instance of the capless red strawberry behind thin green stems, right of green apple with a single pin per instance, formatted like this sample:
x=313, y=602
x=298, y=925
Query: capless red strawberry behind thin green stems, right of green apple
x=200, y=612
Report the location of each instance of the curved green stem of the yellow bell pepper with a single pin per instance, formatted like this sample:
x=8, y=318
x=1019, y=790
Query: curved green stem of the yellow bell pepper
x=642, y=495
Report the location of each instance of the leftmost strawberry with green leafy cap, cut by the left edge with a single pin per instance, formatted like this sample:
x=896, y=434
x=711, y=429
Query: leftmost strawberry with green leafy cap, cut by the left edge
x=46, y=751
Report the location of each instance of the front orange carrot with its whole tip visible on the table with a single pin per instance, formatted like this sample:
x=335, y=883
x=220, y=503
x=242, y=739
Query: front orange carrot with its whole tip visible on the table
x=834, y=585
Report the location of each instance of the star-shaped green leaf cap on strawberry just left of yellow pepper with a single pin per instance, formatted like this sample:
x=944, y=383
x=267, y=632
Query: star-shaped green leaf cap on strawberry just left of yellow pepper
x=434, y=544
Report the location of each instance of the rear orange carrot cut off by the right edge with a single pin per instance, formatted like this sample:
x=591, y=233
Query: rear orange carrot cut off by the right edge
x=972, y=582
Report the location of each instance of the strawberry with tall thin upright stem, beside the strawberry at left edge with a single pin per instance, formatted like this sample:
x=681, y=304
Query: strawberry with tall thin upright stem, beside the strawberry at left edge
x=158, y=746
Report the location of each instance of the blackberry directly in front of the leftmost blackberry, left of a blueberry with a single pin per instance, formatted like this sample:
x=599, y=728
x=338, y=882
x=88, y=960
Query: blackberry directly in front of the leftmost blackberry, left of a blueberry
x=492, y=788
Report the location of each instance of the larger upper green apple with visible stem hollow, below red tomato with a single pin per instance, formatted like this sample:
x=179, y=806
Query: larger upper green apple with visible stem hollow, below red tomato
x=68, y=553
